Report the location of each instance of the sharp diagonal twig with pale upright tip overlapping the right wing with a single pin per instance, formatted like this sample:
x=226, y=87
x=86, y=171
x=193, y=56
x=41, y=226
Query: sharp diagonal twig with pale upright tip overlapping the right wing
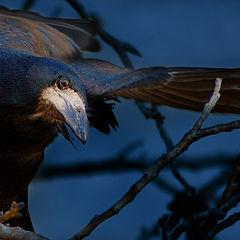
x=150, y=174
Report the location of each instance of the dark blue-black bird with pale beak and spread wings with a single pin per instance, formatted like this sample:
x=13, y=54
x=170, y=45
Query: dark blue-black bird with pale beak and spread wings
x=47, y=87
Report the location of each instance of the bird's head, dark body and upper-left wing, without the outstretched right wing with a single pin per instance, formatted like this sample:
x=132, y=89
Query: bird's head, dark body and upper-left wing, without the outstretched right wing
x=39, y=93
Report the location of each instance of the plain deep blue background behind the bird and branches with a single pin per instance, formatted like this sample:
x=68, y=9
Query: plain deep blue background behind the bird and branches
x=168, y=33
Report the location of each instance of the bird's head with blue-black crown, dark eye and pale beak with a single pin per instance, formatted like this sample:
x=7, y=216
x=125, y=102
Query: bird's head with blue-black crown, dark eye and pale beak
x=61, y=95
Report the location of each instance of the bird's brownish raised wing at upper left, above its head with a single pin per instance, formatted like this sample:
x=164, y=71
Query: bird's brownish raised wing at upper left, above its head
x=61, y=39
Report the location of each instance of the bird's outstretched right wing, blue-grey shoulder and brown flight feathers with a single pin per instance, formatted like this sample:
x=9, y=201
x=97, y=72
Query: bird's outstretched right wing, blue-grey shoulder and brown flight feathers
x=178, y=87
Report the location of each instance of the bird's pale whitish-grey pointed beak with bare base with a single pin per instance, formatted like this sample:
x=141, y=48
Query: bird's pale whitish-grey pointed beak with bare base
x=71, y=107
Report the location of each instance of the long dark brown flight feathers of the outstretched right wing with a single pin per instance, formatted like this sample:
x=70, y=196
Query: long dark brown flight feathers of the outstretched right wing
x=189, y=91
